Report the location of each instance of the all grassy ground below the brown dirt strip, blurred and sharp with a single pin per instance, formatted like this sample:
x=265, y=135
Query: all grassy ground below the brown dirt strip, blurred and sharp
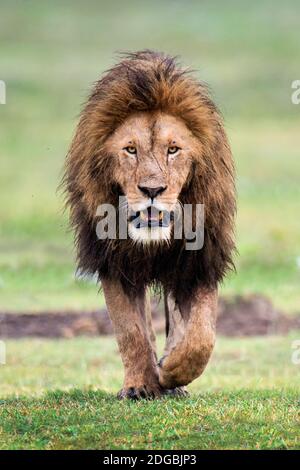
x=61, y=394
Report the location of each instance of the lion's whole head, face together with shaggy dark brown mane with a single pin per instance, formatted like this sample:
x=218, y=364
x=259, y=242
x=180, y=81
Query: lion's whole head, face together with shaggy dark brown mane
x=151, y=133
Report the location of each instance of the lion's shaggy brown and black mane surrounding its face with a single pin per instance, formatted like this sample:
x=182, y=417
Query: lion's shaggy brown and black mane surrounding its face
x=147, y=81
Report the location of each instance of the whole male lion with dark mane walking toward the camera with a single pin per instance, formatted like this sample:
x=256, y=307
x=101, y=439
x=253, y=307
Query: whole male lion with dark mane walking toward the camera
x=150, y=133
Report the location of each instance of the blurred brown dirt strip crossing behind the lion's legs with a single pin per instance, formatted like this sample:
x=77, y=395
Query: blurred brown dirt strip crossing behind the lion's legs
x=240, y=316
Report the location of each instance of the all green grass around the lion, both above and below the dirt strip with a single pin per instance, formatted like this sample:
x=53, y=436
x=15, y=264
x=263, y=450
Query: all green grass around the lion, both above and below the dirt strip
x=60, y=394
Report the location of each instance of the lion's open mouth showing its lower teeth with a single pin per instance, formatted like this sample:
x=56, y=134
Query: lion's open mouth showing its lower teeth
x=151, y=217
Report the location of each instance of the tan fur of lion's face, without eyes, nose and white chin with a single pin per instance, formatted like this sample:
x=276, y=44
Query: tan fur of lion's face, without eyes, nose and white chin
x=152, y=134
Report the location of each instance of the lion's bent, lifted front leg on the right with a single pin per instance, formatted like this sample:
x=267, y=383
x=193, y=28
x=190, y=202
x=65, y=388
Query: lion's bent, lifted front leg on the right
x=191, y=340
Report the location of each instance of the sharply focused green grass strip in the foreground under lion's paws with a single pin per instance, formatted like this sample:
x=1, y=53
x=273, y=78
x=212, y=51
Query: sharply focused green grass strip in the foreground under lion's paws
x=95, y=420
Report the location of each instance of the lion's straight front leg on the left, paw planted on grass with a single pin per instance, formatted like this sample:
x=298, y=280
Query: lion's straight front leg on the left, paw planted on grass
x=129, y=318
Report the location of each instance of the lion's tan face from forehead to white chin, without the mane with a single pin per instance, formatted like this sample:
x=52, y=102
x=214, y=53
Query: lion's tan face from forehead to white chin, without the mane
x=154, y=153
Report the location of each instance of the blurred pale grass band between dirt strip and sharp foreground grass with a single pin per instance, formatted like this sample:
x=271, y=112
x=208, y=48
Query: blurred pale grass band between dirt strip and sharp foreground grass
x=36, y=365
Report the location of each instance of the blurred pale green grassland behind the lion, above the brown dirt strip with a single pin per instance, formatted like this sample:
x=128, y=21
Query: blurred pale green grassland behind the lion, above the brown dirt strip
x=51, y=53
